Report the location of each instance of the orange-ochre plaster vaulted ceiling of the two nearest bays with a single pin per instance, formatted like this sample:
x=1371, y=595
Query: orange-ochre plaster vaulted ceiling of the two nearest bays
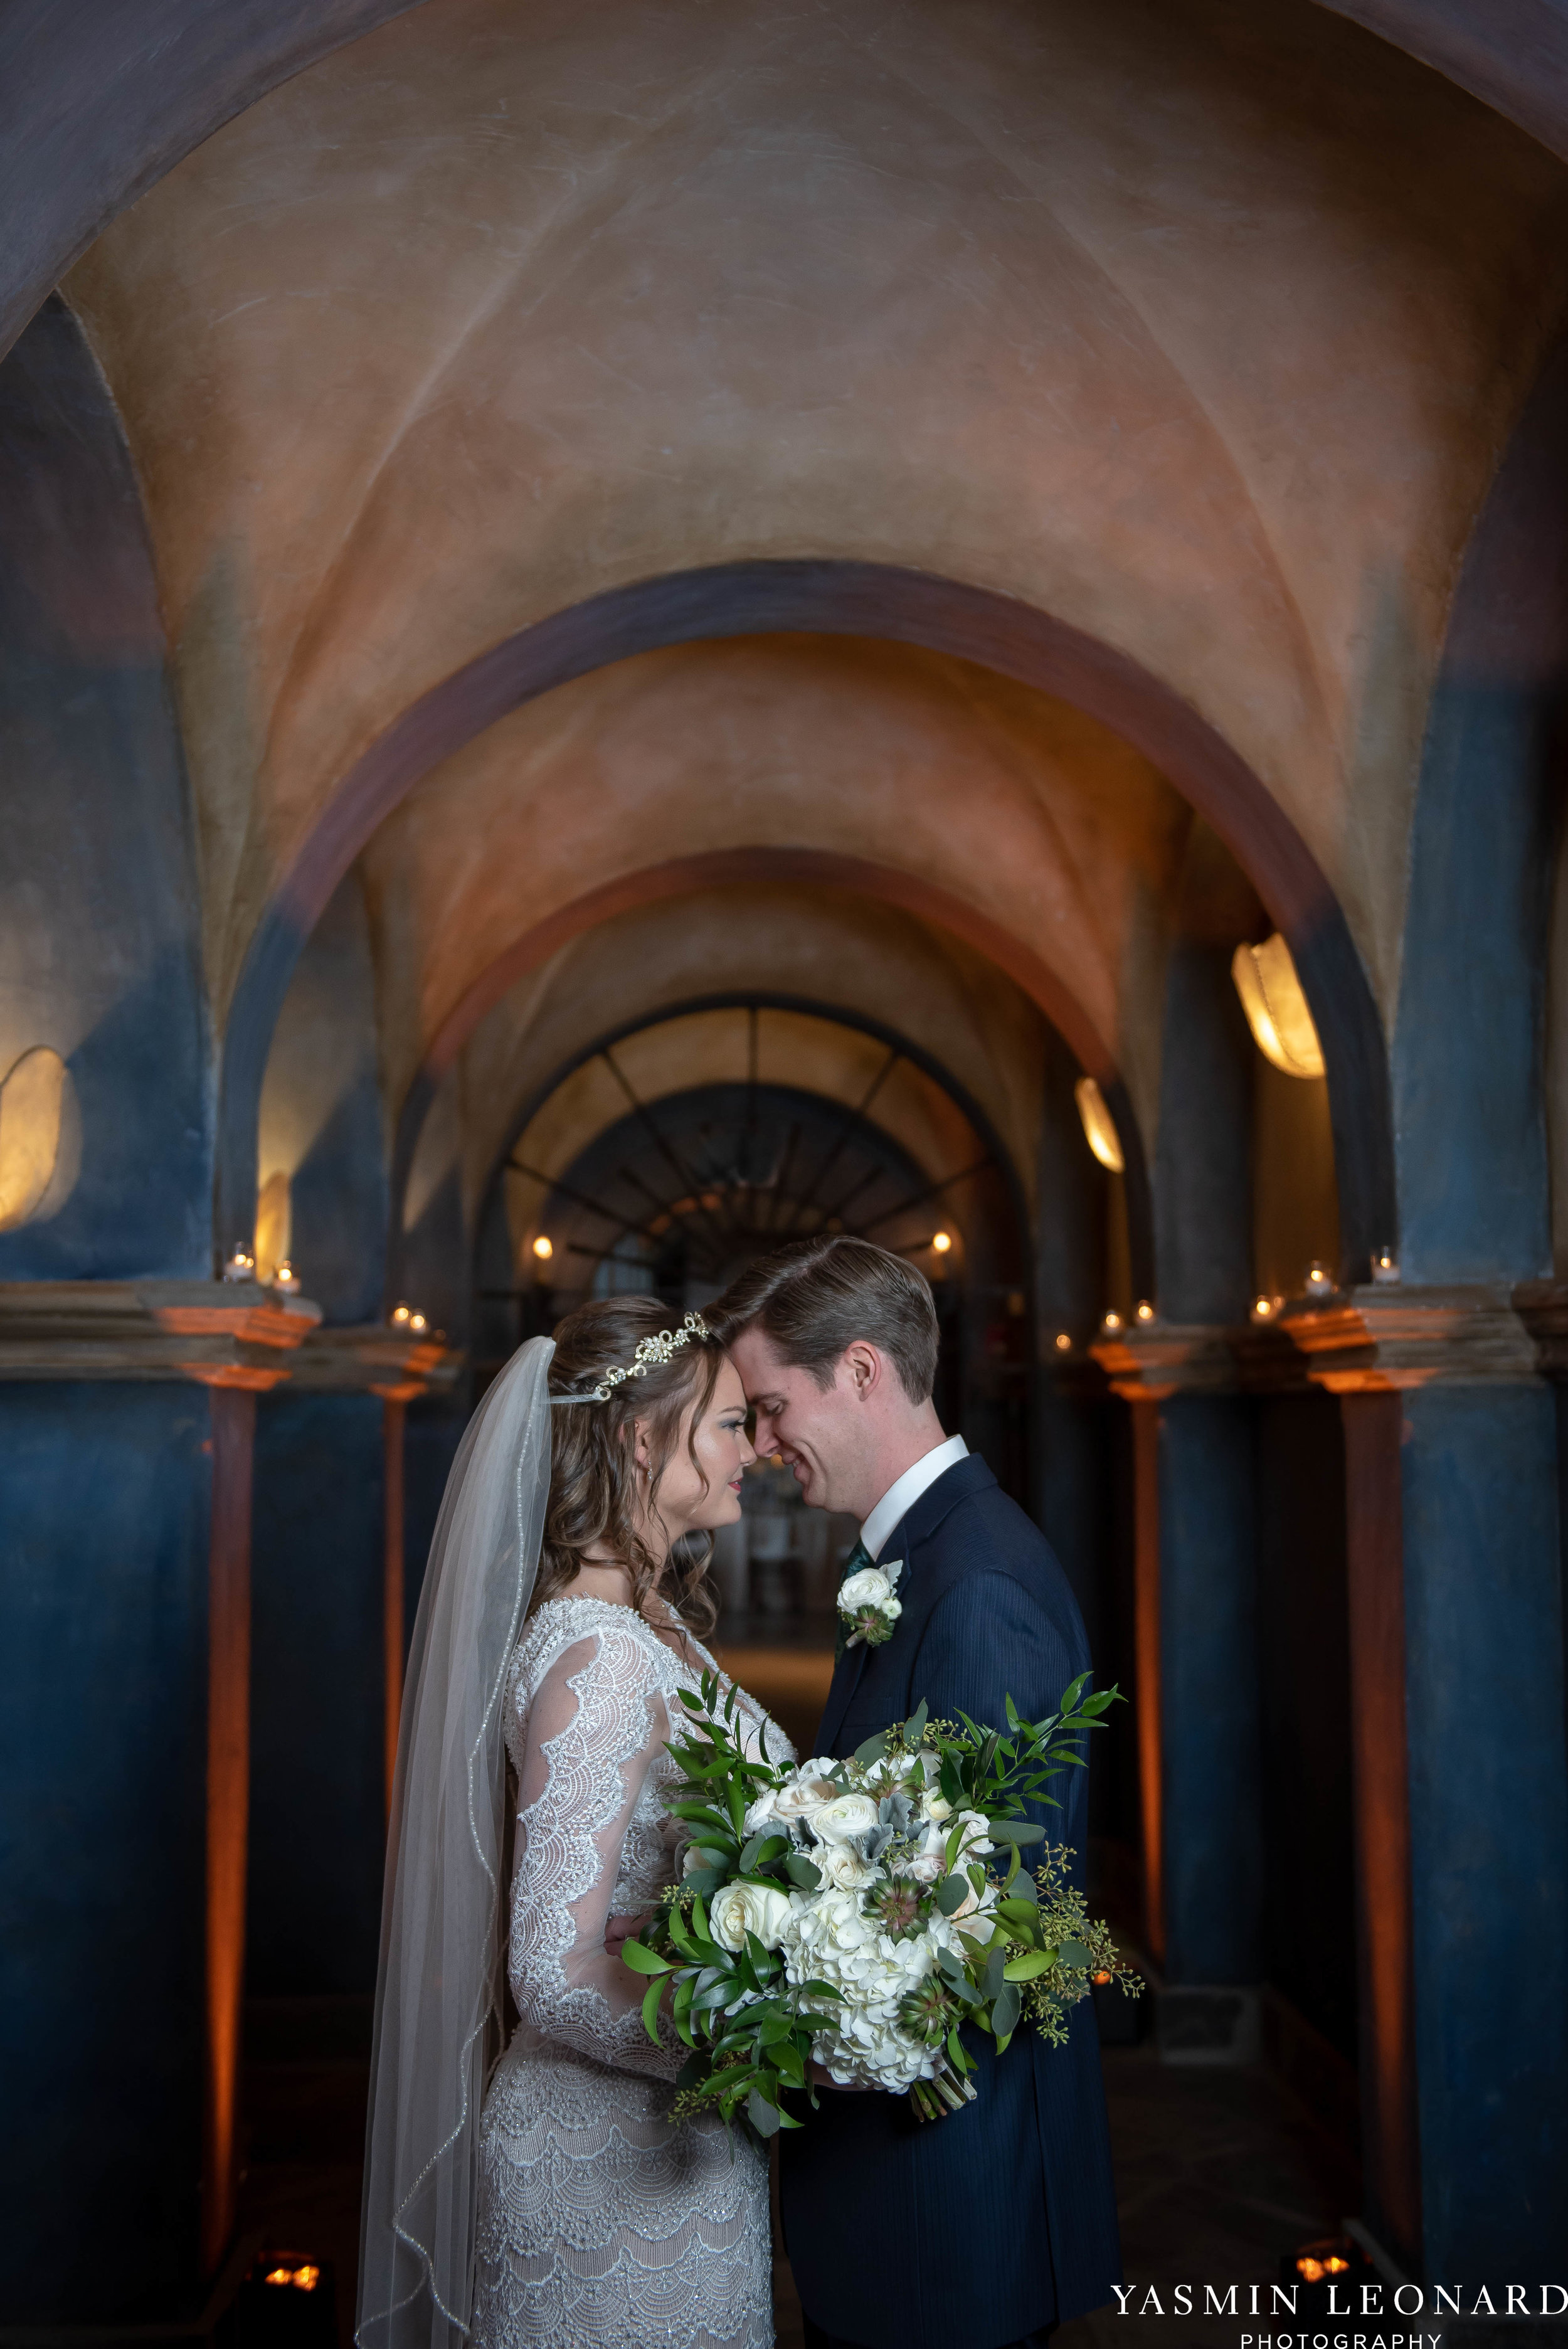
x=1191, y=323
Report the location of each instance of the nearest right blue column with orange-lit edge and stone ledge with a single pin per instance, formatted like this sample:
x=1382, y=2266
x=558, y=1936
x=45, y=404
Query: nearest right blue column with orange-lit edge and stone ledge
x=1461, y=1772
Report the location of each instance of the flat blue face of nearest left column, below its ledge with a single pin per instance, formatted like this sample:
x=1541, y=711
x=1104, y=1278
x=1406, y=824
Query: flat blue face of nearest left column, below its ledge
x=104, y=1505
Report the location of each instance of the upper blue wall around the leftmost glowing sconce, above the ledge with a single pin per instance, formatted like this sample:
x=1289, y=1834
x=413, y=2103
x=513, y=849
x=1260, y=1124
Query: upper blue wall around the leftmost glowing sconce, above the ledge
x=100, y=945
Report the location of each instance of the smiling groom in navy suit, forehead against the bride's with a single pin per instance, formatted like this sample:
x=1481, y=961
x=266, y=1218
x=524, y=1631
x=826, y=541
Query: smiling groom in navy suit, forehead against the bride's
x=996, y=2223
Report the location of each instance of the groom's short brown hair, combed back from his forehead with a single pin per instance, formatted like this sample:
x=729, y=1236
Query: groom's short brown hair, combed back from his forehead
x=818, y=1298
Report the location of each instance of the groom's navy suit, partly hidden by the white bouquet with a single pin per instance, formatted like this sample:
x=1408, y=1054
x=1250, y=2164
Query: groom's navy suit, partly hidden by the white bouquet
x=999, y=2219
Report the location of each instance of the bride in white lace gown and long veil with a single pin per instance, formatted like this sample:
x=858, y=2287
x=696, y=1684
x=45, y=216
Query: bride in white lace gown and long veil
x=529, y=2190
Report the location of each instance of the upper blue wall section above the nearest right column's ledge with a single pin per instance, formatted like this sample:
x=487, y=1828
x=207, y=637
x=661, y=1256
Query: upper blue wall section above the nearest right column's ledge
x=1468, y=1044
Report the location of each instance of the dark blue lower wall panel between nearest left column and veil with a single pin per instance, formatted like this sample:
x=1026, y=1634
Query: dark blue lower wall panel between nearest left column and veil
x=318, y=1808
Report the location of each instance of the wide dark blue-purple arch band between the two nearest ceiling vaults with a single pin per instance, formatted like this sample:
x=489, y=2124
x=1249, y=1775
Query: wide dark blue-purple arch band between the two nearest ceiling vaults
x=877, y=603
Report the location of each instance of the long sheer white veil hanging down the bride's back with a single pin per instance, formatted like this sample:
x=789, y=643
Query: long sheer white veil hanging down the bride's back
x=438, y=1995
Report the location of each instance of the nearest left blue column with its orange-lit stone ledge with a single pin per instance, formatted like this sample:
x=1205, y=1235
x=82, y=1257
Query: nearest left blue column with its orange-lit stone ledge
x=126, y=1481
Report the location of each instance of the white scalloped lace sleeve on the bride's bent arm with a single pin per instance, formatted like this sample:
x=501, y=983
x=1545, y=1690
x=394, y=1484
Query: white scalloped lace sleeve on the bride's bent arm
x=595, y=1728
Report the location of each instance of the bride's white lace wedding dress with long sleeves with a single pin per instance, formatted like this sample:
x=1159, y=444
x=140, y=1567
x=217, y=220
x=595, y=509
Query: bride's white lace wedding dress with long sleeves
x=600, y=2226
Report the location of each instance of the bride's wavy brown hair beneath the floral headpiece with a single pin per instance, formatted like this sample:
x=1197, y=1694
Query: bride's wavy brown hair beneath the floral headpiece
x=593, y=1462
